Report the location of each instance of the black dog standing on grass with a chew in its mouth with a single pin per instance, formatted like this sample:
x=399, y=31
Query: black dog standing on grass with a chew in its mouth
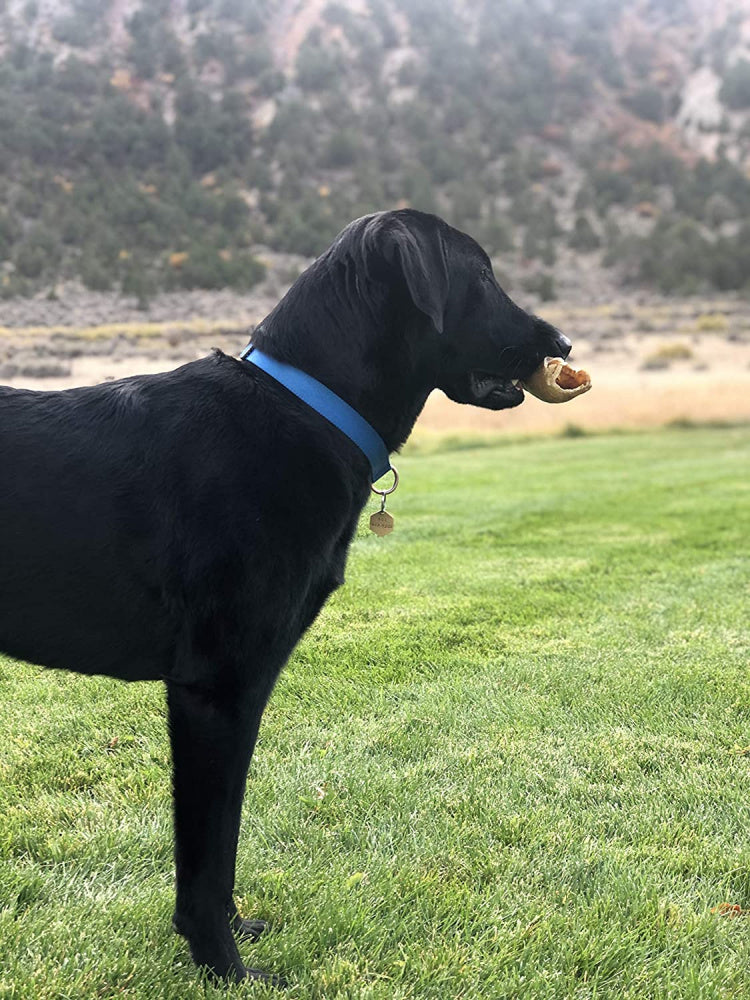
x=168, y=527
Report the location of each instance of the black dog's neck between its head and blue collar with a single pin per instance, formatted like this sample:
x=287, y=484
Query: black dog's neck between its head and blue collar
x=359, y=351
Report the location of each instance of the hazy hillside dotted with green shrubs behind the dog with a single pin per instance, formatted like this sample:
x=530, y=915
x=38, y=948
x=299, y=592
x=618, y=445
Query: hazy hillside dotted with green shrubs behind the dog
x=171, y=144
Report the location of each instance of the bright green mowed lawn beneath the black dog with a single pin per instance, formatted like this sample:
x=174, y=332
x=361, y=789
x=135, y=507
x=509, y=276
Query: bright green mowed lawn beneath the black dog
x=510, y=760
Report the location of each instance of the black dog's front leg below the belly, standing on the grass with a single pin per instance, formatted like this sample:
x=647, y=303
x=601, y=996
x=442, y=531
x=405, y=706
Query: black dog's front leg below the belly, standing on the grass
x=213, y=735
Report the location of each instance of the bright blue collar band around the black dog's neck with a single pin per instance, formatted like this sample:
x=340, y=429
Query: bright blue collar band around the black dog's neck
x=328, y=405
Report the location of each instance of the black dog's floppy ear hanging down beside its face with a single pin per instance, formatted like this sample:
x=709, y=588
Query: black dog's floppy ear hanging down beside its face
x=419, y=253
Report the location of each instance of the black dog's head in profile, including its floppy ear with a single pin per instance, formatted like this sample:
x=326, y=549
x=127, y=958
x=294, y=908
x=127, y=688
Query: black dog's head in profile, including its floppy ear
x=480, y=343
